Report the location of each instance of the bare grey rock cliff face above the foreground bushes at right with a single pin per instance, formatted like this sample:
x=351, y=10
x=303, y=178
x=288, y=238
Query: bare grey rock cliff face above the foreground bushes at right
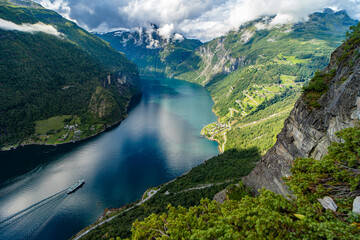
x=308, y=131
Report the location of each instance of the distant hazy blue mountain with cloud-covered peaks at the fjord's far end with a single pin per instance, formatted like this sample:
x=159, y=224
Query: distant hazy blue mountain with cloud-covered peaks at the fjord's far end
x=152, y=52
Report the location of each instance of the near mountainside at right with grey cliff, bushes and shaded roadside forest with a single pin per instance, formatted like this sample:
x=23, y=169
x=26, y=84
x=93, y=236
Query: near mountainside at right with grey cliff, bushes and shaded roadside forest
x=181, y=208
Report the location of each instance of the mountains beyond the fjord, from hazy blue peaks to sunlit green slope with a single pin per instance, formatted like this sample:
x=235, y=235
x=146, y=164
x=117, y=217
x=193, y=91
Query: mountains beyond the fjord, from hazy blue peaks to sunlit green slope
x=254, y=74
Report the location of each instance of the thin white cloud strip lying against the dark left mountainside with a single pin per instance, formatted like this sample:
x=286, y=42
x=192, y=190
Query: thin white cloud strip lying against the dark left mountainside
x=30, y=28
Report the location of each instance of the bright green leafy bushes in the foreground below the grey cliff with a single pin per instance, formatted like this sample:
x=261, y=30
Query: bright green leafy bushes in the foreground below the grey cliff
x=272, y=216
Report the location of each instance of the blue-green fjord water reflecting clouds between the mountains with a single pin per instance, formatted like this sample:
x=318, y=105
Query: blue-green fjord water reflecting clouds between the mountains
x=158, y=141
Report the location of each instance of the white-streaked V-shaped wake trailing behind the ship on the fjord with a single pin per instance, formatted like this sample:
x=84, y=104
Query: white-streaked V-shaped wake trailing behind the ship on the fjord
x=22, y=224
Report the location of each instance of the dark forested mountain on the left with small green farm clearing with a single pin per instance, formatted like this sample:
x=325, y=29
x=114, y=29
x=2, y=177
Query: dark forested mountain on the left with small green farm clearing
x=59, y=83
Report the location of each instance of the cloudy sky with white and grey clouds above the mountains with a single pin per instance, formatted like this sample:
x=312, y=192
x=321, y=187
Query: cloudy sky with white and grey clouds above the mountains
x=201, y=19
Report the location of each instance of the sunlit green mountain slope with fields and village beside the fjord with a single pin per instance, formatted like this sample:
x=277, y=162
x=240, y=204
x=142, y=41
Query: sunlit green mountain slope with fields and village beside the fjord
x=255, y=74
